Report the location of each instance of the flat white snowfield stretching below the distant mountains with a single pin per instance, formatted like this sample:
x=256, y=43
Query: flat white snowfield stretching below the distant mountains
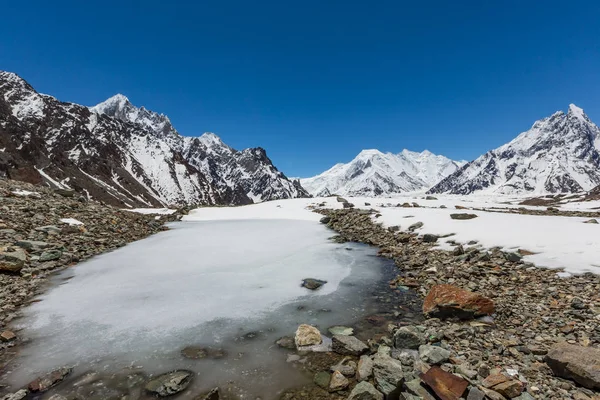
x=559, y=242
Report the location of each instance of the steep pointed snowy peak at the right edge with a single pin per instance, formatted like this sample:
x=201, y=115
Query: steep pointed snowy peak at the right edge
x=559, y=154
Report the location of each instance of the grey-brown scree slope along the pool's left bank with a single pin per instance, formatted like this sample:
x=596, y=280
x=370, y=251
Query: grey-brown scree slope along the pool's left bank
x=44, y=230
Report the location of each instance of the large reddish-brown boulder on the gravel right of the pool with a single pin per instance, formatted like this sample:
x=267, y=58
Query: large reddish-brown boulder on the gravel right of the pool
x=451, y=301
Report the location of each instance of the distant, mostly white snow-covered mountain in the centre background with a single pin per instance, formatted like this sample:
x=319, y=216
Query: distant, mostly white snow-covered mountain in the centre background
x=373, y=173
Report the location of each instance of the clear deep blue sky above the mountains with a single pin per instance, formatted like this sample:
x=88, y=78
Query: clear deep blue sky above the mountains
x=314, y=82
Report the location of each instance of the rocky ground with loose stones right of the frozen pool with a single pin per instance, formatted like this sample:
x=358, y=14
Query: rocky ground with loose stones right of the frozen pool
x=508, y=329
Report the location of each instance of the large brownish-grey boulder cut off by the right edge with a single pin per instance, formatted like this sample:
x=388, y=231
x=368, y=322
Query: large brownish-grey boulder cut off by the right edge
x=581, y=364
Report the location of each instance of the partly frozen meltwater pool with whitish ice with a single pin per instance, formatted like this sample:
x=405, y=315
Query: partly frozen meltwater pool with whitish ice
x=229, y=288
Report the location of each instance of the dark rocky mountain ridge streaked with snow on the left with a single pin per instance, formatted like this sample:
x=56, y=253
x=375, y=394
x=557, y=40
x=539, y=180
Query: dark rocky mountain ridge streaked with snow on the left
x=126, y=156
